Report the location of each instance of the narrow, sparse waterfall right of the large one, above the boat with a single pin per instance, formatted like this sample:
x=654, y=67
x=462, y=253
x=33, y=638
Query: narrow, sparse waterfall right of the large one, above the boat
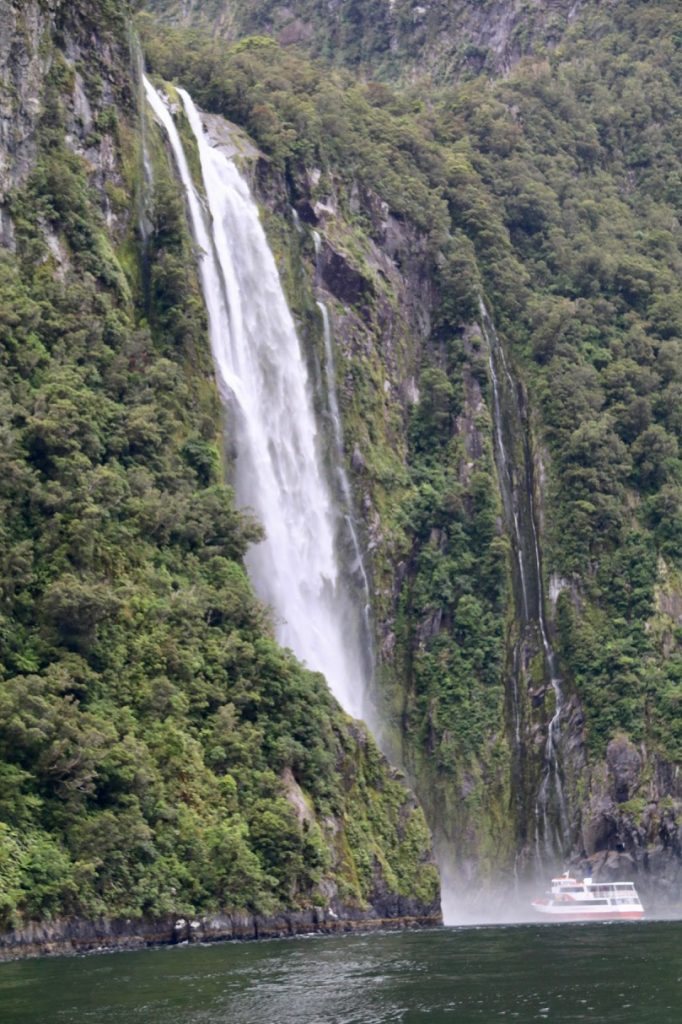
x=517, y=483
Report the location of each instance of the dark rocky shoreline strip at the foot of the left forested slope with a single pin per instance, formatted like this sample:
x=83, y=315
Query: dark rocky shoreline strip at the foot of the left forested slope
x=71, y=936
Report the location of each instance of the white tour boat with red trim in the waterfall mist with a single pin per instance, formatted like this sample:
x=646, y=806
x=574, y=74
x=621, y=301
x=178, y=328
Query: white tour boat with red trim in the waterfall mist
x=588, y=901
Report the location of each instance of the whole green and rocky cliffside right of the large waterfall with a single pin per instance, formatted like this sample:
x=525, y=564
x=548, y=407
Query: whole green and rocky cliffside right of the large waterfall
x=529, y=194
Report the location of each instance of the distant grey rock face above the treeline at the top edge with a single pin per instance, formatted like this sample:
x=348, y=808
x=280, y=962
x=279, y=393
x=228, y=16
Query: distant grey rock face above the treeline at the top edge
x=392, y=40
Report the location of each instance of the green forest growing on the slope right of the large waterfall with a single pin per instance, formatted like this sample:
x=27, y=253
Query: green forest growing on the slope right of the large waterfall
x=556, y=193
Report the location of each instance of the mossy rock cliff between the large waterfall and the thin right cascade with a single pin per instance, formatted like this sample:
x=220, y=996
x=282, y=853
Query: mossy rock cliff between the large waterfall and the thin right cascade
x=419, y=448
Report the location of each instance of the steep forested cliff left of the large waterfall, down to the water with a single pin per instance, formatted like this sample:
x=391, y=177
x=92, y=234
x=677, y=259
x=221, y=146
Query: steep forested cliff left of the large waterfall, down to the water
x=160, y=756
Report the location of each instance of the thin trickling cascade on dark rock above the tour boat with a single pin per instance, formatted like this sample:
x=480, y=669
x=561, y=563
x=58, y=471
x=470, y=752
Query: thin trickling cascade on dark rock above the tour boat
x=527, y=549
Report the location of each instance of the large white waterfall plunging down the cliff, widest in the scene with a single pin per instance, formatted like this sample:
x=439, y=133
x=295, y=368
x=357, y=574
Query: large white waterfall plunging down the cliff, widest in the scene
x=279, y=472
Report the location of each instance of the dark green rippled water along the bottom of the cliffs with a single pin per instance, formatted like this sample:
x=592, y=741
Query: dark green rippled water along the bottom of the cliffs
x=602, y=973
